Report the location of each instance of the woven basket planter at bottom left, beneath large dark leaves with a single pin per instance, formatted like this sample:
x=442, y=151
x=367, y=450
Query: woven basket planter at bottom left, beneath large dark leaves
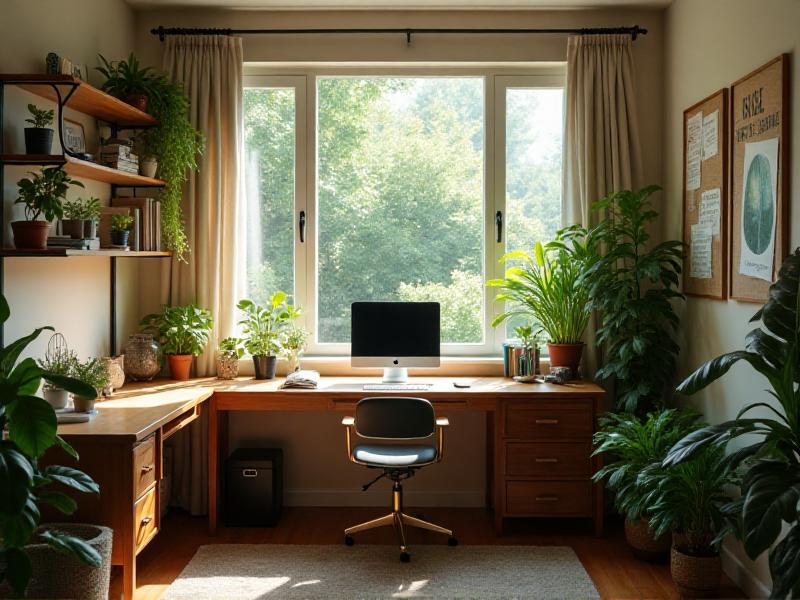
x=56, y=575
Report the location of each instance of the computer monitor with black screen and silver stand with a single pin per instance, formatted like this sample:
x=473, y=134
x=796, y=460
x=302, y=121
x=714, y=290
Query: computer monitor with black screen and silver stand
x=395, y=336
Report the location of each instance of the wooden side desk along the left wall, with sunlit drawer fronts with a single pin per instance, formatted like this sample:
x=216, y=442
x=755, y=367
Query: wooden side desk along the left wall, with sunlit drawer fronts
x=121, y=449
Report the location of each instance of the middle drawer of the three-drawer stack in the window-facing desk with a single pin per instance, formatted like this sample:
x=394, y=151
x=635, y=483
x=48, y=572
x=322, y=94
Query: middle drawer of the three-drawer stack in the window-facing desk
x=548, y=459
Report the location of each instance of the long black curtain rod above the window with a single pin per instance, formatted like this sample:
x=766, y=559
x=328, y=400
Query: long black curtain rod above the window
x=163, y=32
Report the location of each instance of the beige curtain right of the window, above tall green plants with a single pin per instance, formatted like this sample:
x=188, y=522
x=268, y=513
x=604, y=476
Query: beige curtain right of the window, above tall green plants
x=601, y=150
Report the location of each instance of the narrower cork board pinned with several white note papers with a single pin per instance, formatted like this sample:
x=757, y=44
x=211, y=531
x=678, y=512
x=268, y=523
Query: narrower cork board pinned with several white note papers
x=705, y=197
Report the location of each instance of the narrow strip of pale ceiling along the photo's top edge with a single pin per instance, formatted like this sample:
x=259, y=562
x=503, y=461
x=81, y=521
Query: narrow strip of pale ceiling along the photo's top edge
x=399, y=4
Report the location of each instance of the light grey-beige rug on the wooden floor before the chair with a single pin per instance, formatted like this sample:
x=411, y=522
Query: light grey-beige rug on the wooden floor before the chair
x=258, y=571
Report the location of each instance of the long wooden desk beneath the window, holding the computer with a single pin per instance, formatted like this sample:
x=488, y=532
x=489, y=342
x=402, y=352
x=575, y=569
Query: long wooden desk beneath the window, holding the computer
x=539, y=436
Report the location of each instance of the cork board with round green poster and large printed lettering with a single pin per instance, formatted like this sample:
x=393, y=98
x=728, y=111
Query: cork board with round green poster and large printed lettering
x=759, y=179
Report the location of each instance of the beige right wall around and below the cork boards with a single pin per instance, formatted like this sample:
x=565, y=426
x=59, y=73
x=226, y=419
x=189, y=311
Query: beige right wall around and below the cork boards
x=709, y=45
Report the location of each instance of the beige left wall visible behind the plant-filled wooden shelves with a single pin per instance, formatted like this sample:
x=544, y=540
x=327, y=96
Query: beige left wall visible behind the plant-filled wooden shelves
x=70, y=294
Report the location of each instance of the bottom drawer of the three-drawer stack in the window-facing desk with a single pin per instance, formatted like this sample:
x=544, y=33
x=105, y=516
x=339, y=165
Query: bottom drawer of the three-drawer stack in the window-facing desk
x=544, y=498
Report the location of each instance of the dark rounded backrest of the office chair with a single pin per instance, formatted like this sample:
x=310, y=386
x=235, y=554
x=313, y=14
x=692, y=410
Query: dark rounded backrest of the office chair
x=395, y=418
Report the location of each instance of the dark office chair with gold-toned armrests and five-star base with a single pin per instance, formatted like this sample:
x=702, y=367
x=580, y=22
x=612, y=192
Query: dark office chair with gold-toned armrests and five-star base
x=394, y=419
